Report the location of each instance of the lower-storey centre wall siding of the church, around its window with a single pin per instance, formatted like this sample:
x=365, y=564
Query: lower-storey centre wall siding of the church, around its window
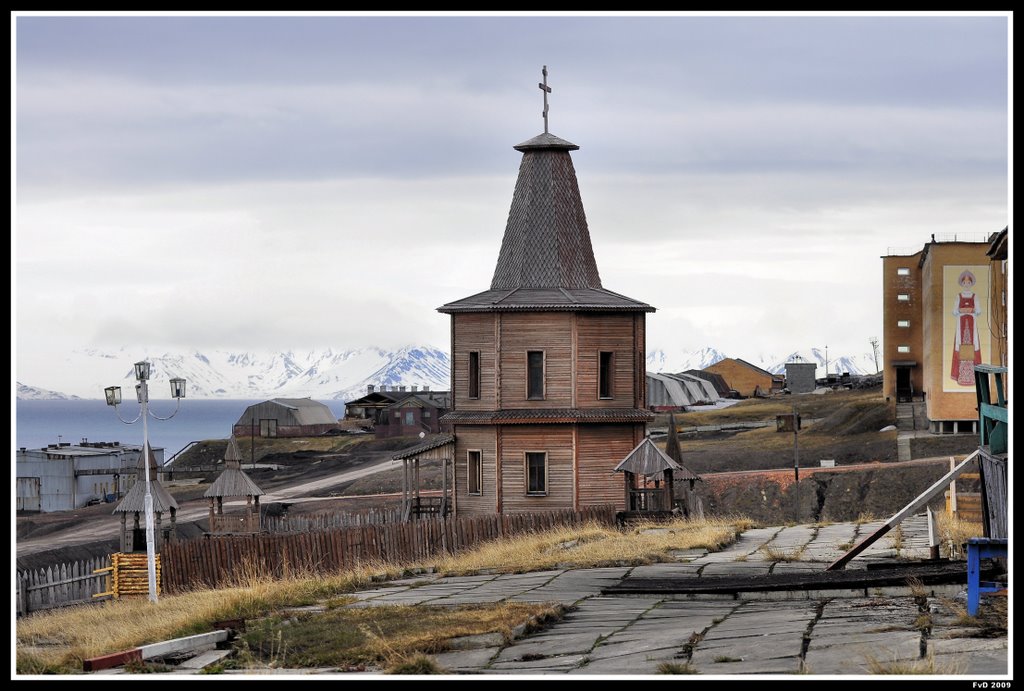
x=558, y=443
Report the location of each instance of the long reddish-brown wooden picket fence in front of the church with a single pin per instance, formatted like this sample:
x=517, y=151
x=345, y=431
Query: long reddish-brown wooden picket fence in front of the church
x=214, y=562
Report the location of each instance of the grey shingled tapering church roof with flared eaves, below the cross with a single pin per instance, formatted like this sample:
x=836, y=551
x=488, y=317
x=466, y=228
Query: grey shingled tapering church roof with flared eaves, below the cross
x=546, y=262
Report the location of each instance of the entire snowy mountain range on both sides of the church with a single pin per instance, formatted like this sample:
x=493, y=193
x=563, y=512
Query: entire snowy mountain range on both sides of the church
x=325, y=374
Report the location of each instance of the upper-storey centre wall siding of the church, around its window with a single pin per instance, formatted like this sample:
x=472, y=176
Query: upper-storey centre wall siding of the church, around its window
x=550, y=332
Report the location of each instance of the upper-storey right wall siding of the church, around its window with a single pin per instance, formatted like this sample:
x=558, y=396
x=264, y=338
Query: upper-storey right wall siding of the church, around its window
x=614, y=333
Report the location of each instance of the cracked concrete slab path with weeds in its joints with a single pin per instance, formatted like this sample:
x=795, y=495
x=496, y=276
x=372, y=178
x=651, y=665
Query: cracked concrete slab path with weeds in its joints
x=822, y=633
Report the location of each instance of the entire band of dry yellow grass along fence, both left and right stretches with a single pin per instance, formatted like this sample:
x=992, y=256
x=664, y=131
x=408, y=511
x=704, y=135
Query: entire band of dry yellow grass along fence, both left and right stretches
x=59, y=641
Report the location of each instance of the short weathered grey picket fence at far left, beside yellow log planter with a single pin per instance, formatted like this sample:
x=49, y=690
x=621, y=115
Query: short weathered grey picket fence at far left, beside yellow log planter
x=61, y=585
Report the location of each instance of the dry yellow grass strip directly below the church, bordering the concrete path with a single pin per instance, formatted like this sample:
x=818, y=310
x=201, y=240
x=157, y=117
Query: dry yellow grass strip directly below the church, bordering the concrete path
x=592, y=546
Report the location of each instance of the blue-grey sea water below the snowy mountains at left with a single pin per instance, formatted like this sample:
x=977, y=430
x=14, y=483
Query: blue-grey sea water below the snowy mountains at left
x=39, y=423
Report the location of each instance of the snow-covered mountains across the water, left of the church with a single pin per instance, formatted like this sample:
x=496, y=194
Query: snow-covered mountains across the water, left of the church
x=326, y=374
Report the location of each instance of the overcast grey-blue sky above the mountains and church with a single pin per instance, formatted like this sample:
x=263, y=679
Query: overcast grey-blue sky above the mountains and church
x=255, y=183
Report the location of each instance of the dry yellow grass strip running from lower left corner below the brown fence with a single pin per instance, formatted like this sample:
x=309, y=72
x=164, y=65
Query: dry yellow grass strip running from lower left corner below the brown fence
x=60, y=640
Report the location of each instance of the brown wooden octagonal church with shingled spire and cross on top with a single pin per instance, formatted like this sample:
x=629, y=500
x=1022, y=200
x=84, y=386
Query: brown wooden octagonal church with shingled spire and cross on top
x=548, y=367
